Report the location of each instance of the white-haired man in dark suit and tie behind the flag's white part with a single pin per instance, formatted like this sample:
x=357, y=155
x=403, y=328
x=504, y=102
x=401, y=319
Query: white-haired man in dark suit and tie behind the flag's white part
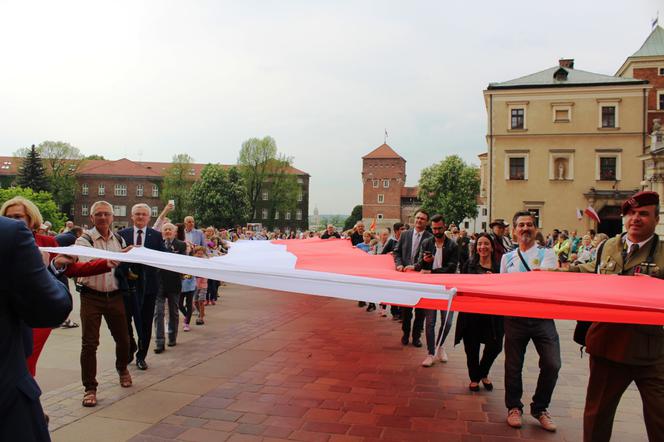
x=145, y=282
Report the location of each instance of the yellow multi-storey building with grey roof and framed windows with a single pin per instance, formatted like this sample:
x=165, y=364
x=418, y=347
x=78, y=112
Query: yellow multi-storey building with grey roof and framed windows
x=564, y=139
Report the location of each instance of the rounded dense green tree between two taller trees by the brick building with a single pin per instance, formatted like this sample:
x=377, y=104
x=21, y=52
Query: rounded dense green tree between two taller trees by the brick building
x=219, y=198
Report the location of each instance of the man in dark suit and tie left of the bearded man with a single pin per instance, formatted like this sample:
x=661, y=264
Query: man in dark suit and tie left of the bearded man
x=405, y=254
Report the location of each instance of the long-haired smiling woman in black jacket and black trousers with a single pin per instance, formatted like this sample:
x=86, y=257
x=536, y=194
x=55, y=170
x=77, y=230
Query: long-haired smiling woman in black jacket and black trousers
x=476, y=329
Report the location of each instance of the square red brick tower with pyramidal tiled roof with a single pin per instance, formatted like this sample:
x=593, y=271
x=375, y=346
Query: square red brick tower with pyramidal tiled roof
x=383, y=178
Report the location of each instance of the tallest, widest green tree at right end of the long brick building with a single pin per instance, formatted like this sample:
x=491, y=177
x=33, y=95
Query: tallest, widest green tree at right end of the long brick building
x=262, y=167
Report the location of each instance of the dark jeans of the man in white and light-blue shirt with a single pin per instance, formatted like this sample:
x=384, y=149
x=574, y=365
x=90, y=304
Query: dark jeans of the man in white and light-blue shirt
x=518, y=332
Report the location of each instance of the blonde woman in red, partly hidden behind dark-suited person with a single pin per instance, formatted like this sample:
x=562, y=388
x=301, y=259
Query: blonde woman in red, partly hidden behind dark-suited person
x=23, y=209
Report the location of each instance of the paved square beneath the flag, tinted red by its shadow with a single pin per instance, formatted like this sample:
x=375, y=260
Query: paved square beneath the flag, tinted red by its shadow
x=276, y=366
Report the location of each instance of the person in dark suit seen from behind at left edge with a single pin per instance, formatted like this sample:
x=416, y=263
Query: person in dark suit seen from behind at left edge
x=29, y=295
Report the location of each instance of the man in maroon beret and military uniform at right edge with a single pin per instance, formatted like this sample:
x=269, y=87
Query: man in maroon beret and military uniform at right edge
x=624, y=353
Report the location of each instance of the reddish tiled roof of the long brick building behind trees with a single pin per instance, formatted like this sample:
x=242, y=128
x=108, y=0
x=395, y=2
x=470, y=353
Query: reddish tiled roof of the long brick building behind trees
x=122, y=167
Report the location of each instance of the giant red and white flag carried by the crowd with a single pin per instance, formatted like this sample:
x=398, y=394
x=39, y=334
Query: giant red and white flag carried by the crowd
x=334, y=268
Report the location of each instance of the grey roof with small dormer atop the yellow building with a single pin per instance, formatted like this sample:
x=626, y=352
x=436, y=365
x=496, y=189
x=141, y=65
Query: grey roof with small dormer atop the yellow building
x=575, y=77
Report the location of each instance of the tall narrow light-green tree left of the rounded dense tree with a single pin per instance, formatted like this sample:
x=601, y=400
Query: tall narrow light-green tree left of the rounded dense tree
x=177, y=186
